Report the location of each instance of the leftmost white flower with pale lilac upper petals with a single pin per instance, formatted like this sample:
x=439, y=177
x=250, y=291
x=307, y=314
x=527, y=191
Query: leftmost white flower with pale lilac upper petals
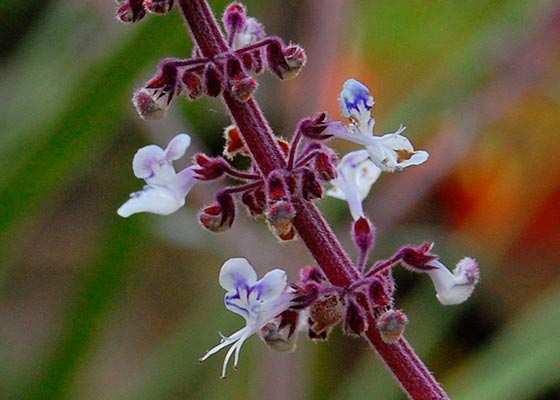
x=165, y=189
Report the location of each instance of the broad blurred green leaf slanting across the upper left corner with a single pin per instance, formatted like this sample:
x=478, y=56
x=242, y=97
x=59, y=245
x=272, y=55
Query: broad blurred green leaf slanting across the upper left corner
x=60, y=152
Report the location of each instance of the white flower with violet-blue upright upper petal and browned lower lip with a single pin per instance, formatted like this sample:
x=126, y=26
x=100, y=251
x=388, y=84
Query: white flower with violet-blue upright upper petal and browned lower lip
x=390, y=152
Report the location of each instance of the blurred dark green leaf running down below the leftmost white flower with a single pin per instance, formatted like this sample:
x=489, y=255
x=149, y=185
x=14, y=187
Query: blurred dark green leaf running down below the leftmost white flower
x=122, y=250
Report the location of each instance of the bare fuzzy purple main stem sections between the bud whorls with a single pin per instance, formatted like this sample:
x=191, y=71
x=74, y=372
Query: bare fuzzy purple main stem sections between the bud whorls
x=408, y=370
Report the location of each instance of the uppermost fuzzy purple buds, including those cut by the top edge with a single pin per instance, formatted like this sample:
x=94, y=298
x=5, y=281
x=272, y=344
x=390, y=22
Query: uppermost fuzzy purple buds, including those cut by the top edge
x=250, y=51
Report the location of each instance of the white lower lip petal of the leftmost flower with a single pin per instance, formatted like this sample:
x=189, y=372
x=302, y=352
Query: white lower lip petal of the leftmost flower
x=153, y=199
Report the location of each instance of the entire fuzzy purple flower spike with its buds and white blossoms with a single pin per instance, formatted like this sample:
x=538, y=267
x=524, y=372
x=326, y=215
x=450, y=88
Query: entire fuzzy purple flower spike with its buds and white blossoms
x=281, y=185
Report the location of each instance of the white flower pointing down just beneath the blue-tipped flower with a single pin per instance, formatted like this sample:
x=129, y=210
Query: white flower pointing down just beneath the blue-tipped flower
x=356, y=173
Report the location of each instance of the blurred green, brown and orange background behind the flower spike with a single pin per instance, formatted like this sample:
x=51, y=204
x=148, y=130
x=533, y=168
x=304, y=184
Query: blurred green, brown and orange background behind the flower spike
x=93, y=306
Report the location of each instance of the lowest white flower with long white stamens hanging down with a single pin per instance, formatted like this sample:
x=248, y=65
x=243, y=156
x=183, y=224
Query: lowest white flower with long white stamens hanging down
x=259, y=302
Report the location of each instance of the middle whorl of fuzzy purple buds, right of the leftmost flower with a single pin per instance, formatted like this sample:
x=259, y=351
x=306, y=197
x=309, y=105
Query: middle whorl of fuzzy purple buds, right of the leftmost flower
x=273, y=196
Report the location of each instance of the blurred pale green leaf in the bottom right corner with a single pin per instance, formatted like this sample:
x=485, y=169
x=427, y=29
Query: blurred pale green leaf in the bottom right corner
x=520, y=362
